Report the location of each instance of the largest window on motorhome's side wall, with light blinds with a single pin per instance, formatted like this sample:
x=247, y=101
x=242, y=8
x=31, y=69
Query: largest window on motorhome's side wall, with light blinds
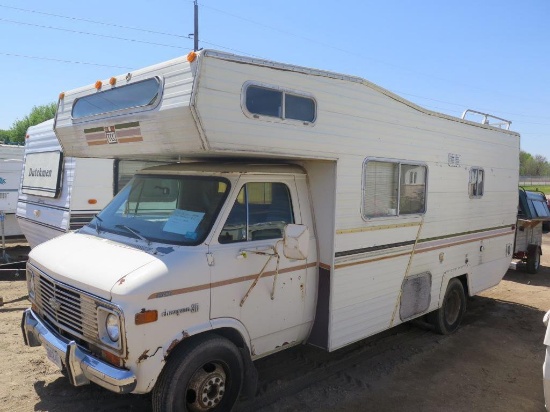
x=393, y=189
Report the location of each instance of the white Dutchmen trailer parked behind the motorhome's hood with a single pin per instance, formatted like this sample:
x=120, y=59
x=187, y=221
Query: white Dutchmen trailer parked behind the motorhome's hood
x=58, y=193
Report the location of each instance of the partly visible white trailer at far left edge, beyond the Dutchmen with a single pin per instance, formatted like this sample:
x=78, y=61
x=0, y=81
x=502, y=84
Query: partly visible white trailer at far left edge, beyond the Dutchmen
x=11, y=162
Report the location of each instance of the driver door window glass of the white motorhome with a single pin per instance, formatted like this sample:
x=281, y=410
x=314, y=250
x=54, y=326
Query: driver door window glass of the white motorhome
x=261, y=211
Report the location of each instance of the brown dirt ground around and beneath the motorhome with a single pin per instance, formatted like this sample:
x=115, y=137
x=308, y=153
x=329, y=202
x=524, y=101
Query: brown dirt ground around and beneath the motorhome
x=493, y=362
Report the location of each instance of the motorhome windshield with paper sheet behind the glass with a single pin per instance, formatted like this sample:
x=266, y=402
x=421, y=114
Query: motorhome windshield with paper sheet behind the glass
x=167, y=209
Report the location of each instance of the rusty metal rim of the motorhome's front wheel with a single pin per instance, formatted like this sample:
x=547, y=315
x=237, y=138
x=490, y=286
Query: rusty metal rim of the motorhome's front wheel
x=206, y=388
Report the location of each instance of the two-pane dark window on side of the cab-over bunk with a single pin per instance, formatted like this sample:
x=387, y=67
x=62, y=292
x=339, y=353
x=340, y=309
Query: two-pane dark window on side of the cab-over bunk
x=264, y=101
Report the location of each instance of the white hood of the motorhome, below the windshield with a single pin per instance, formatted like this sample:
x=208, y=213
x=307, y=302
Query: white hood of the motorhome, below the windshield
x=86, y=262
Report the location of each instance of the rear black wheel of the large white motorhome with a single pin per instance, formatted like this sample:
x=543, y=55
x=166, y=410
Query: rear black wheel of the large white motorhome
x=447, y=318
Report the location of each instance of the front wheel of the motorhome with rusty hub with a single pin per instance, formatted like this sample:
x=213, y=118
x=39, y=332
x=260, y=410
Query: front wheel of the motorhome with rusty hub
x=205, y=375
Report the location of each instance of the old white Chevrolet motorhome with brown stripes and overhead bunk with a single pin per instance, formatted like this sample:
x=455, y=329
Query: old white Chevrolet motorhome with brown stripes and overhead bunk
x=350, y=211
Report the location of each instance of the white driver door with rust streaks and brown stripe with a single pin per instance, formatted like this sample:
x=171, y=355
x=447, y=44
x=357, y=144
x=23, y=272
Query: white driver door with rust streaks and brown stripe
x=248, y=242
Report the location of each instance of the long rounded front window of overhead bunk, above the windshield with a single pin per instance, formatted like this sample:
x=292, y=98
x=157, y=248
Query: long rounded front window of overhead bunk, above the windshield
x=142, y=94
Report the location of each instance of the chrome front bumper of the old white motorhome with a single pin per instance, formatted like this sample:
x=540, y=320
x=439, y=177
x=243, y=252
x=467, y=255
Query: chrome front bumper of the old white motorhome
x=81, y=366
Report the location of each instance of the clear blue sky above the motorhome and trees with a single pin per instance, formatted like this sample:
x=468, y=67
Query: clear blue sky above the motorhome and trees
x=447, y=56
